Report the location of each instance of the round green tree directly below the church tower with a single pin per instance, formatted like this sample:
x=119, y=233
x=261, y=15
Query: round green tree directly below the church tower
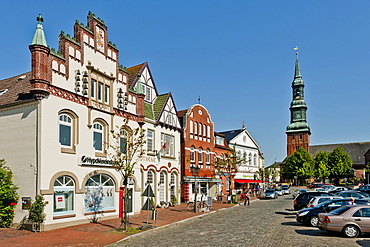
x=298, y=164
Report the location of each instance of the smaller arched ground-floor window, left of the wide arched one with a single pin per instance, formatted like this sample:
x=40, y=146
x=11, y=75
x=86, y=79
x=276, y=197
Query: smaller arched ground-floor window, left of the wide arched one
x=63, y=200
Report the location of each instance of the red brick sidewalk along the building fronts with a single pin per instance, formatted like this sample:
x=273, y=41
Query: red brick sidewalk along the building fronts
x=97, y=234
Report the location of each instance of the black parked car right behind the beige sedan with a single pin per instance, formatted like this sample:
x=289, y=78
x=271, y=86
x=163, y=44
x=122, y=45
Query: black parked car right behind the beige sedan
x=310, y=215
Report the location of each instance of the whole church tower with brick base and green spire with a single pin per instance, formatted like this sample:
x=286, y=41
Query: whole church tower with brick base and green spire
x=298, y=132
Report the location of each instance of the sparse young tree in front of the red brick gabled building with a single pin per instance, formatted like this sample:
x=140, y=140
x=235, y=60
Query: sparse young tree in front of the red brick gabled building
x=227, y=165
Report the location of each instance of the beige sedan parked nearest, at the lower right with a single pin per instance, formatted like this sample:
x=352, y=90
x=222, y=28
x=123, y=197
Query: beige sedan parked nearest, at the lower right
x=351, y=220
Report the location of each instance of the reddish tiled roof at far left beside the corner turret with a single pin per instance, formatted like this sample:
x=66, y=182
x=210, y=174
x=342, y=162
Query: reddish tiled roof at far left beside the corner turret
x=18, y=89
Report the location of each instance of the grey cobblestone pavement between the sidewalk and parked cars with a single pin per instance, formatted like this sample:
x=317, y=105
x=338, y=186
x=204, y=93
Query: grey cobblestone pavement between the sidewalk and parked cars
x=263, y=223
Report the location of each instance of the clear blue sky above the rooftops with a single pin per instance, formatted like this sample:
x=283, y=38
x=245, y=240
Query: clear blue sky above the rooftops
x=236, y=55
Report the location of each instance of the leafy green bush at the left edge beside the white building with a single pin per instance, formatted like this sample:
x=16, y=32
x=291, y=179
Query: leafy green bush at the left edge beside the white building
x=8, y=195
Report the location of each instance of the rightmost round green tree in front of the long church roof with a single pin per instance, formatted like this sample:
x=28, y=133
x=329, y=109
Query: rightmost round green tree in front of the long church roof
x=339, y=164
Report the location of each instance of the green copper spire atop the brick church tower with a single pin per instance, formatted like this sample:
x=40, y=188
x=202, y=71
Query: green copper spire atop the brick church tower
x=298, y=106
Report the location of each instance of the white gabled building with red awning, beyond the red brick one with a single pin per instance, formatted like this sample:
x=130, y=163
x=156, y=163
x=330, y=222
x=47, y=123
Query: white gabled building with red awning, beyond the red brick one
x=247, y=147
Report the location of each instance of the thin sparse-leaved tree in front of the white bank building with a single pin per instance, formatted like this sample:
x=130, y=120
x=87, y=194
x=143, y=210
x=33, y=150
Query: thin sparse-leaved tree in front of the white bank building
x=127, y=146
